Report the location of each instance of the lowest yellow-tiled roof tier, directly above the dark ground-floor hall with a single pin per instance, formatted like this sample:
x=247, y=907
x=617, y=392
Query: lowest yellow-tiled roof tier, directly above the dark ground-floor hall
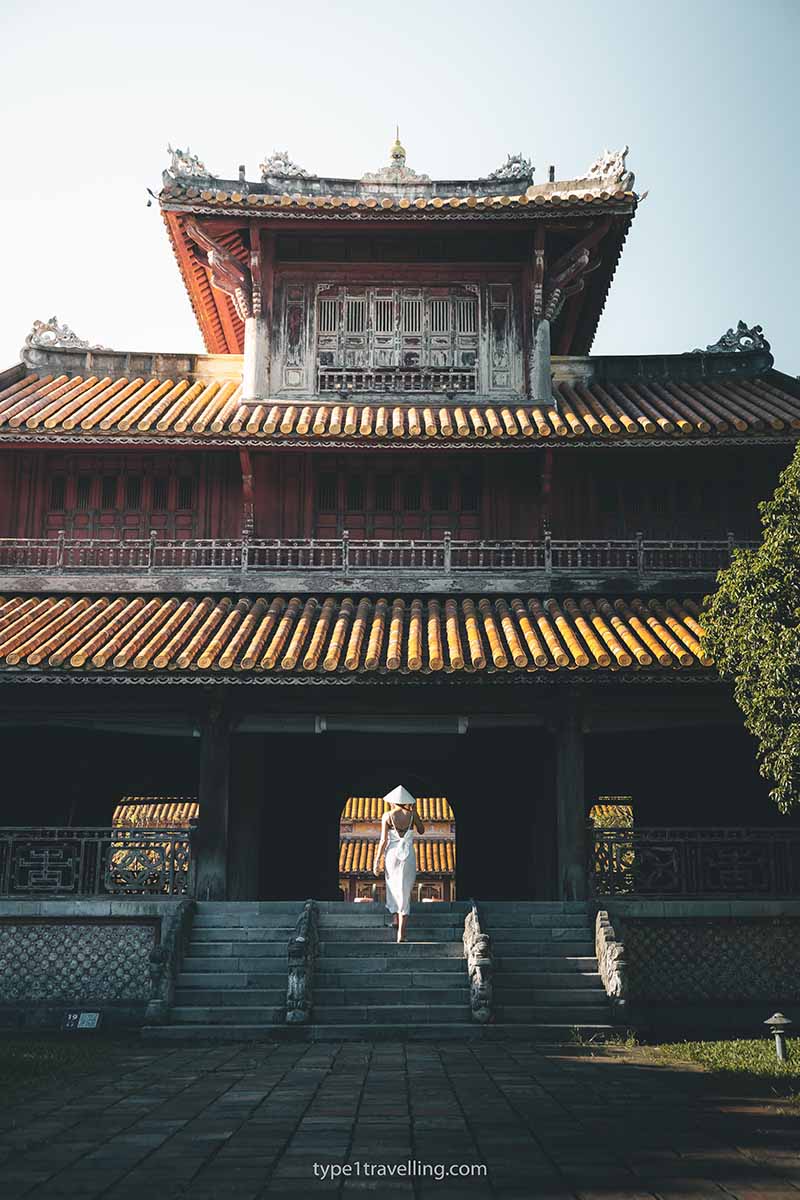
x=272, y=639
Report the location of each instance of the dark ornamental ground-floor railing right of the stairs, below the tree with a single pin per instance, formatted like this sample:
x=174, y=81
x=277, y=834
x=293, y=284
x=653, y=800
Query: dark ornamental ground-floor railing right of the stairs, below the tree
x=694, y=862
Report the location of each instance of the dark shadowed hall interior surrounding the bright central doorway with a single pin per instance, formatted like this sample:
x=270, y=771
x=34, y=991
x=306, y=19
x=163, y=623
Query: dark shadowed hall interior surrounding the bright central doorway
x=495, y=781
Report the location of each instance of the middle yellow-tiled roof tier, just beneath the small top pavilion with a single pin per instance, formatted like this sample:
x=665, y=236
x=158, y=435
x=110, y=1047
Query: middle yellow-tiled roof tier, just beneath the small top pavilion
x=196, y=401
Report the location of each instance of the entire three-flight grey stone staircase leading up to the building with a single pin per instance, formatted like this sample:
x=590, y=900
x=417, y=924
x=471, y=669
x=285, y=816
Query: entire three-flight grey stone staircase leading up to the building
x=233, y=980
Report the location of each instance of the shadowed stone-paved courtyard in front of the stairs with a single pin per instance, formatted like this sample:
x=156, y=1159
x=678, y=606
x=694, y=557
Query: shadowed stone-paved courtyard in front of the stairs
x=264, y=1120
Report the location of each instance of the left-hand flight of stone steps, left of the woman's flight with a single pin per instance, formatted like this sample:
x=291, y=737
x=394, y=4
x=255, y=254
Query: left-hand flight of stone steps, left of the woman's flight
x=233, y=979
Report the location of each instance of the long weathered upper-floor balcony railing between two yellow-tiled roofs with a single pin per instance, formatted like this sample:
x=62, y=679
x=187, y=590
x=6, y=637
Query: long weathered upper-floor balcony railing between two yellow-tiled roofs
x=345, y=556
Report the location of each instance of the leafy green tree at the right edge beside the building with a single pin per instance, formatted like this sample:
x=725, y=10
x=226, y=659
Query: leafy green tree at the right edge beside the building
x=753, y=631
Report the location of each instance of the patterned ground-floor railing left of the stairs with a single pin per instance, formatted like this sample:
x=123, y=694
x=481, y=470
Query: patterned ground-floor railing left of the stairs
x=88, y=862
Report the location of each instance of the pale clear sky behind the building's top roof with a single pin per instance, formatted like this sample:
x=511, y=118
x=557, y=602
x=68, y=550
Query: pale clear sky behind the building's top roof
x=705, y=92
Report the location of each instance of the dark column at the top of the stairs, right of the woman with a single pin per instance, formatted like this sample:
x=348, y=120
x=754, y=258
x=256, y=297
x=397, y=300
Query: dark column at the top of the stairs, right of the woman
x=570, y=803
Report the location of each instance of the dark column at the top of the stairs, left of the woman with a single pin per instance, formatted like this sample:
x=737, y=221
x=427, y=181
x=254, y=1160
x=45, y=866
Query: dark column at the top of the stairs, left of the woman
x=213, y=832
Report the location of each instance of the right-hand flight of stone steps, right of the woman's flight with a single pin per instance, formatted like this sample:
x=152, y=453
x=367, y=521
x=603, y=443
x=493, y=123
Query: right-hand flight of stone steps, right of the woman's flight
x=546, y=980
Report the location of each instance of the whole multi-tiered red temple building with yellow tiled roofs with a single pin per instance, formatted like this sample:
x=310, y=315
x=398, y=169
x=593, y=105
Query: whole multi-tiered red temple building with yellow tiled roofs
x=396, y=526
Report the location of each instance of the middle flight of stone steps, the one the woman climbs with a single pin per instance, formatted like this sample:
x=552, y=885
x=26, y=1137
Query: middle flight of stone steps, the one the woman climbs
x=368, y=986
